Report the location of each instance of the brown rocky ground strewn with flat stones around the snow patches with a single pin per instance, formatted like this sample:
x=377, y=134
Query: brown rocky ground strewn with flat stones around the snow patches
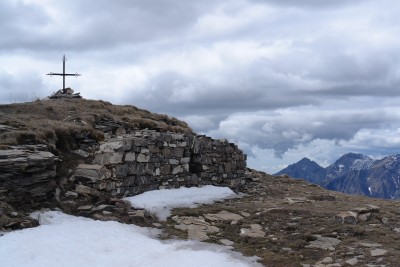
x=284, y=221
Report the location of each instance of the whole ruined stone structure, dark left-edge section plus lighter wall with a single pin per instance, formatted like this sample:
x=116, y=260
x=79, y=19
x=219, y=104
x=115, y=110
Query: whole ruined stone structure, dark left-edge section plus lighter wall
x=130, y=164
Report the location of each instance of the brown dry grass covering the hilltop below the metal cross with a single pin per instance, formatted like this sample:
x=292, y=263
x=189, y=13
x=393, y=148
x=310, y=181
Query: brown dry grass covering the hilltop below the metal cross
x=57, y=122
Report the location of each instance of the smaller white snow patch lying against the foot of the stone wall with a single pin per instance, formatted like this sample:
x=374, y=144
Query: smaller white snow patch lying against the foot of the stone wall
x=160, y=202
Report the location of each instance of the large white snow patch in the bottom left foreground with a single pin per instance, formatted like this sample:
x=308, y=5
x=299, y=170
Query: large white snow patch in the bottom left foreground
x=68, y=241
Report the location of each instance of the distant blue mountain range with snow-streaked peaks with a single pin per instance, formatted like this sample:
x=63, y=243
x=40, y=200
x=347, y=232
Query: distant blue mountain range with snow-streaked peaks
x=353, y=174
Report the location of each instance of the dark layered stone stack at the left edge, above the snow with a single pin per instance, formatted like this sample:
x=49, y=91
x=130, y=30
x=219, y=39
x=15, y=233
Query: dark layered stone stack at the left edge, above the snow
x=27, y=175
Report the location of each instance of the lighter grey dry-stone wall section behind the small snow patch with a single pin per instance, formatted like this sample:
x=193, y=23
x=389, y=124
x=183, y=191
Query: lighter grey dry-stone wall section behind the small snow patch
x=149, y=160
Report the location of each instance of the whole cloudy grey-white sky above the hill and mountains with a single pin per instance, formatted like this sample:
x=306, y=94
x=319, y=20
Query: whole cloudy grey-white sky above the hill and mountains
x=285, y=79
